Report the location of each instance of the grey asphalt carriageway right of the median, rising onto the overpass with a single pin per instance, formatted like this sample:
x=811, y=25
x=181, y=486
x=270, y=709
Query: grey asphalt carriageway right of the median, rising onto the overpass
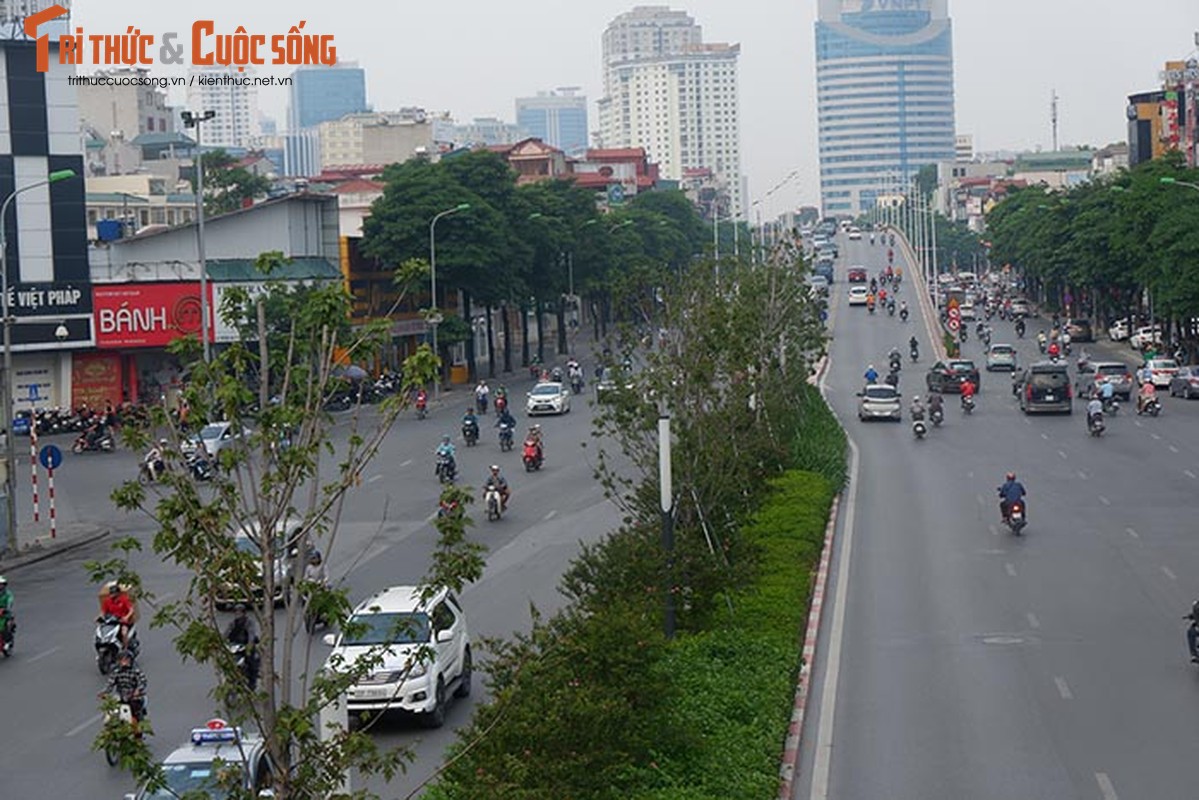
x=971, y=664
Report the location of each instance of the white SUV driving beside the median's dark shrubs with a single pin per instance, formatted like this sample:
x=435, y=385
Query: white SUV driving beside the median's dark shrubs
x=425, y=647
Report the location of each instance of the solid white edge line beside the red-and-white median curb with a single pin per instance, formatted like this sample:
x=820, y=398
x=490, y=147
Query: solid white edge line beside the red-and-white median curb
x=822, y=768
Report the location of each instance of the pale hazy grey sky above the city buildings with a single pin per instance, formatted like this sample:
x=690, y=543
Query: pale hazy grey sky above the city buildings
x=473, y=58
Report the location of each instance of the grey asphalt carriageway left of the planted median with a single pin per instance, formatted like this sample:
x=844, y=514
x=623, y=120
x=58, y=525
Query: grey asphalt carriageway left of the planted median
x=49, y=688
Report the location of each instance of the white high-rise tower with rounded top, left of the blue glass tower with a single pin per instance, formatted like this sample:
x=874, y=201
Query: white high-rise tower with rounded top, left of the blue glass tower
x=668, y=92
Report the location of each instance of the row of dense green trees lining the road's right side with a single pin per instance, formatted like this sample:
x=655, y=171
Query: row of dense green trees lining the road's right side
x=1120, y=246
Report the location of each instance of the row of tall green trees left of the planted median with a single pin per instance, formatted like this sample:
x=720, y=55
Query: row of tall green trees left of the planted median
x=526, y=246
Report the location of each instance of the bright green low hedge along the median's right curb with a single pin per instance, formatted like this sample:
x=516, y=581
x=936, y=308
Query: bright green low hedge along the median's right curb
x=737, y=682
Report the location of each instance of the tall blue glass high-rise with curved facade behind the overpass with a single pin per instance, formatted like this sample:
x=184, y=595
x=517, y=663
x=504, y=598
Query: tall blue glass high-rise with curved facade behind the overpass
x=884, y=94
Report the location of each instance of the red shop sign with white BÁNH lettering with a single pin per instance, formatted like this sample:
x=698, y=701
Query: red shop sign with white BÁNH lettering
x=147, y=315
